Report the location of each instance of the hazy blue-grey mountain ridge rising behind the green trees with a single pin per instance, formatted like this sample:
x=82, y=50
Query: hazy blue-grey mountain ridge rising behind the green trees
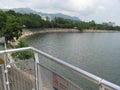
x=28, y=11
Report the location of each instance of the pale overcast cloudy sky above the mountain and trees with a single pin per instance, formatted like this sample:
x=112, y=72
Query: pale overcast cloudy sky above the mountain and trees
x=86, y=10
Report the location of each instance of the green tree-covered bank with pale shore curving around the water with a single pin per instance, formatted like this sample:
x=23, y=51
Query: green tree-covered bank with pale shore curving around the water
x=14, y=26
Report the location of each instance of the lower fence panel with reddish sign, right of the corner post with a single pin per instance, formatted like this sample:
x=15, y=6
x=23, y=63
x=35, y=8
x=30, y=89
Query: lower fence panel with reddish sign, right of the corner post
x=53, y=81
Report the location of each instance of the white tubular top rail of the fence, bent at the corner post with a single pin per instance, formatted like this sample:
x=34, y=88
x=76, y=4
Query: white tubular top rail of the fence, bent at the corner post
x=95, y=79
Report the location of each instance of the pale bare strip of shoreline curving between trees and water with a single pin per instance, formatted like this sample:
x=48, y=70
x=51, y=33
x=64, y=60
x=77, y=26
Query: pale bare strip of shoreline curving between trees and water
x=27, y=32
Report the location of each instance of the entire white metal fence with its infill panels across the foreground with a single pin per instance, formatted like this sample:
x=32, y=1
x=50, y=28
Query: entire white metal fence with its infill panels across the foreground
x=34, y=75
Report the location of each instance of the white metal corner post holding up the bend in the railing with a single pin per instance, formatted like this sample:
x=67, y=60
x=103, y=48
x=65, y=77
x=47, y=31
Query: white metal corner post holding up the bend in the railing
x=38, y=73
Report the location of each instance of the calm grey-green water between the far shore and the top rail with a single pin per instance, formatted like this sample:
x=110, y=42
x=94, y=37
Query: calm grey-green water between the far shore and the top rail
x=97, y=53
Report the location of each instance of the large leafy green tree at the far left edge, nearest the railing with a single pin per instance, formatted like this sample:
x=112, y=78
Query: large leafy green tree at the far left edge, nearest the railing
x=10, y=26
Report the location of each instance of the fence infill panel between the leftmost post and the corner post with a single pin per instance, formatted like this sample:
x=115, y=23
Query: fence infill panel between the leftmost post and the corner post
x=22, y=75
